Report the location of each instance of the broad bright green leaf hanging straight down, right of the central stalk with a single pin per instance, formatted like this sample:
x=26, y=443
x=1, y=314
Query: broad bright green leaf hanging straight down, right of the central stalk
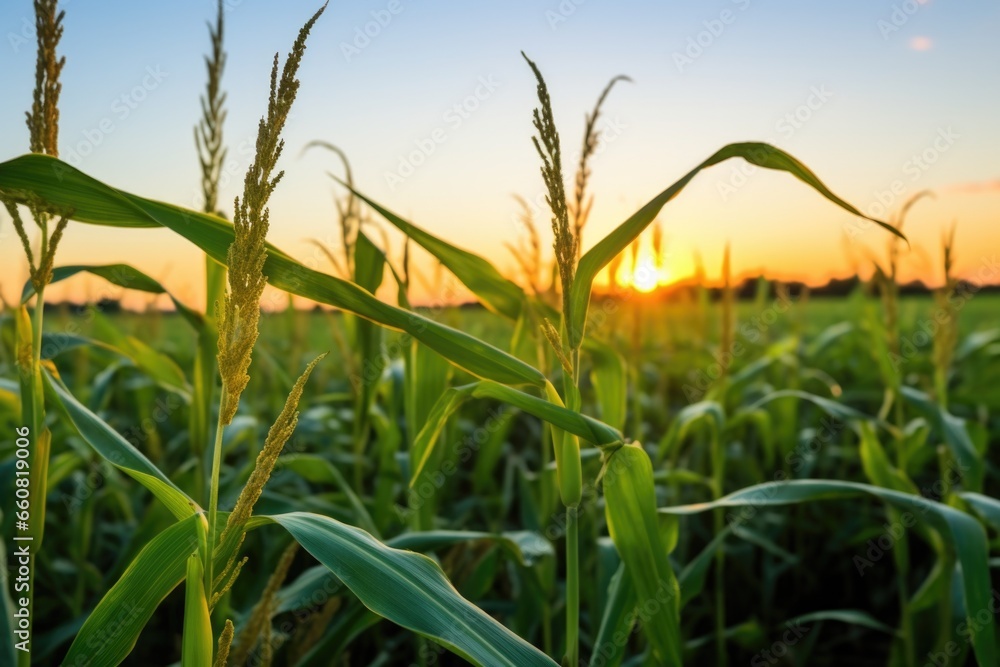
x=630, y=505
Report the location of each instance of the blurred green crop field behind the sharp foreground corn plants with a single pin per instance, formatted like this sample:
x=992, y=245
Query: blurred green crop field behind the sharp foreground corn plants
x=814, y=561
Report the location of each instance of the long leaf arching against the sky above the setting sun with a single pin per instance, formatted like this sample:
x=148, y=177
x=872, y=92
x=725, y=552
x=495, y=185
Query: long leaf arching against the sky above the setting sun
x=595, y=259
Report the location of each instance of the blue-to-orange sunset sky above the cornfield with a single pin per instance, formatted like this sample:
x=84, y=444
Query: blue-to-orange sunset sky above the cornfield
x=431, y=101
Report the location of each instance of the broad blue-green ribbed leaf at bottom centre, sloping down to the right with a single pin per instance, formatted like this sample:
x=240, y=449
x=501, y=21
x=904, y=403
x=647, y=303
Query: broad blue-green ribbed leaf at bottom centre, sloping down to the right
x=410, y=590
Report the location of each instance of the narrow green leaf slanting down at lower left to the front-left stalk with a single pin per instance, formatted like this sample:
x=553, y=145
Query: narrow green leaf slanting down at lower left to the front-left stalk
x=118, y=451
